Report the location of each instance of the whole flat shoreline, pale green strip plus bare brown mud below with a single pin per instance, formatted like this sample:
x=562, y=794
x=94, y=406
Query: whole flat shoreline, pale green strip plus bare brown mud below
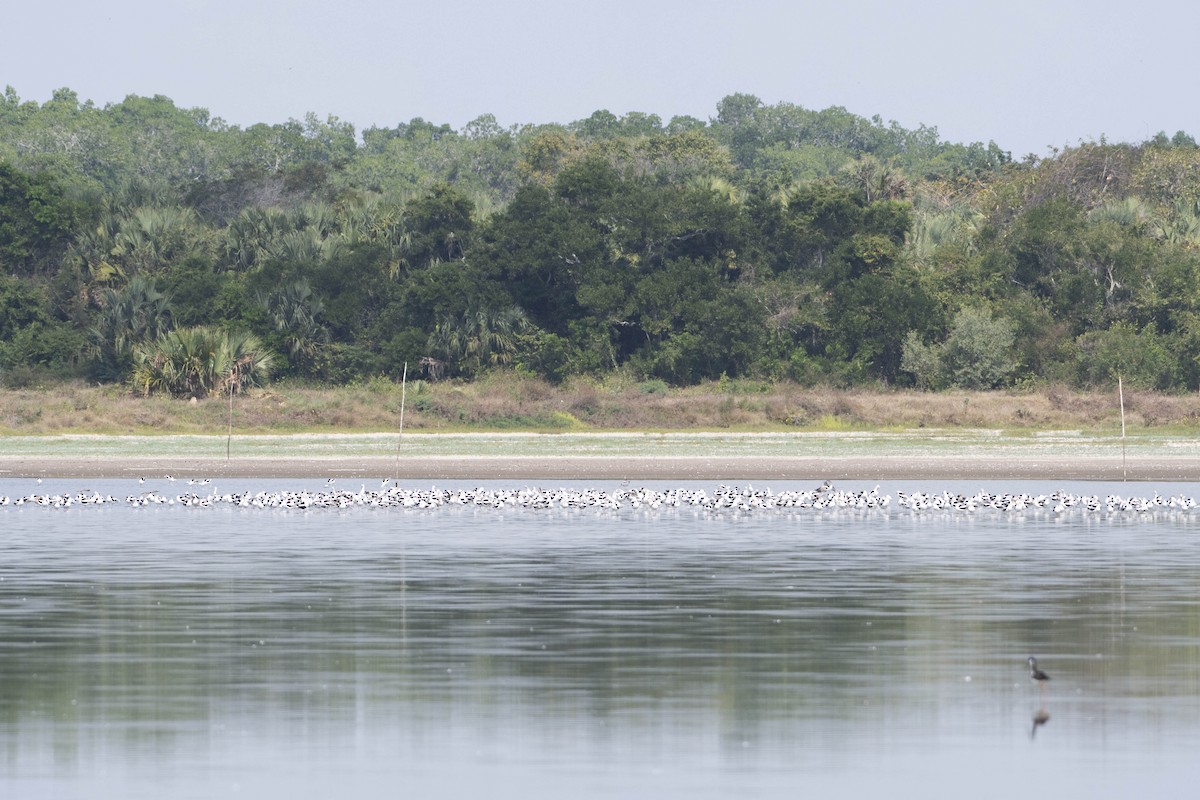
x=867, y=456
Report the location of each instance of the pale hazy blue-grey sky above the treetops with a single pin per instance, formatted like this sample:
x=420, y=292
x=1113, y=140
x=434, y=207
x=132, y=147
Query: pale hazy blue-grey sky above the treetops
x=1029, y=75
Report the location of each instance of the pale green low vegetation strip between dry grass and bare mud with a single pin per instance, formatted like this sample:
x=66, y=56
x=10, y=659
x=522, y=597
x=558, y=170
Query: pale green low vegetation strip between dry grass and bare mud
x=382, y=449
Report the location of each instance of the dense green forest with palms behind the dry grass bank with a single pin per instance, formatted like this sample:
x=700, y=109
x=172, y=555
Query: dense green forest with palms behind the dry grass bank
x=165, y=249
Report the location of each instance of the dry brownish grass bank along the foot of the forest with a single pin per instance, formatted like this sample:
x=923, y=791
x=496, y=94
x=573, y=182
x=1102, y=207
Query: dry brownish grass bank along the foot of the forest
x=507, y=402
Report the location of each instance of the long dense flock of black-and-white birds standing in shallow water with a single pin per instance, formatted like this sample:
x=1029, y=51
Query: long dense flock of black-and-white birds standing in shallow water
x=724, y=500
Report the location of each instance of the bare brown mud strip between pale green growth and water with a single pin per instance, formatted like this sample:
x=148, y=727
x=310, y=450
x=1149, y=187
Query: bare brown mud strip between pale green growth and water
x=977, y=467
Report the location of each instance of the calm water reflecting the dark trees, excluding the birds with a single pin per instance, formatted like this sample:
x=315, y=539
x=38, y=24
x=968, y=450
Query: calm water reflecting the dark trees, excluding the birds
x=189, y=653
